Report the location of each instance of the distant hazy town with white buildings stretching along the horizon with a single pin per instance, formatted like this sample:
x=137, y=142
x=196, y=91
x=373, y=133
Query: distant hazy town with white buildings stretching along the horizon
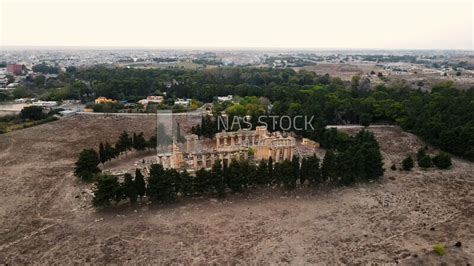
x=35, y=73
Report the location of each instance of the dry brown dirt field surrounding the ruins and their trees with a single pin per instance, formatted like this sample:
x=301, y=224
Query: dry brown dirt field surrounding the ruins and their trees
x=46, y=217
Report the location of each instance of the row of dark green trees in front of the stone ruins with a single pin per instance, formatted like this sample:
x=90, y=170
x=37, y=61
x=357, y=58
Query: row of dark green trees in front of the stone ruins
x=361, y=162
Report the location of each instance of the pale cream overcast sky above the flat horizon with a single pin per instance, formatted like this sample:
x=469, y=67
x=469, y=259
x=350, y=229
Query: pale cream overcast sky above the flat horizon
x=403, y=24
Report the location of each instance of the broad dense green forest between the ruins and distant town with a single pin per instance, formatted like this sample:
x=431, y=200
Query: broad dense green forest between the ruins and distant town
x=443, y=116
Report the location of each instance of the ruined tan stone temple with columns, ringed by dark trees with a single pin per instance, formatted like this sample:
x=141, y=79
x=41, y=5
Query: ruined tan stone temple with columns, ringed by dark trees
x=257, y=144
